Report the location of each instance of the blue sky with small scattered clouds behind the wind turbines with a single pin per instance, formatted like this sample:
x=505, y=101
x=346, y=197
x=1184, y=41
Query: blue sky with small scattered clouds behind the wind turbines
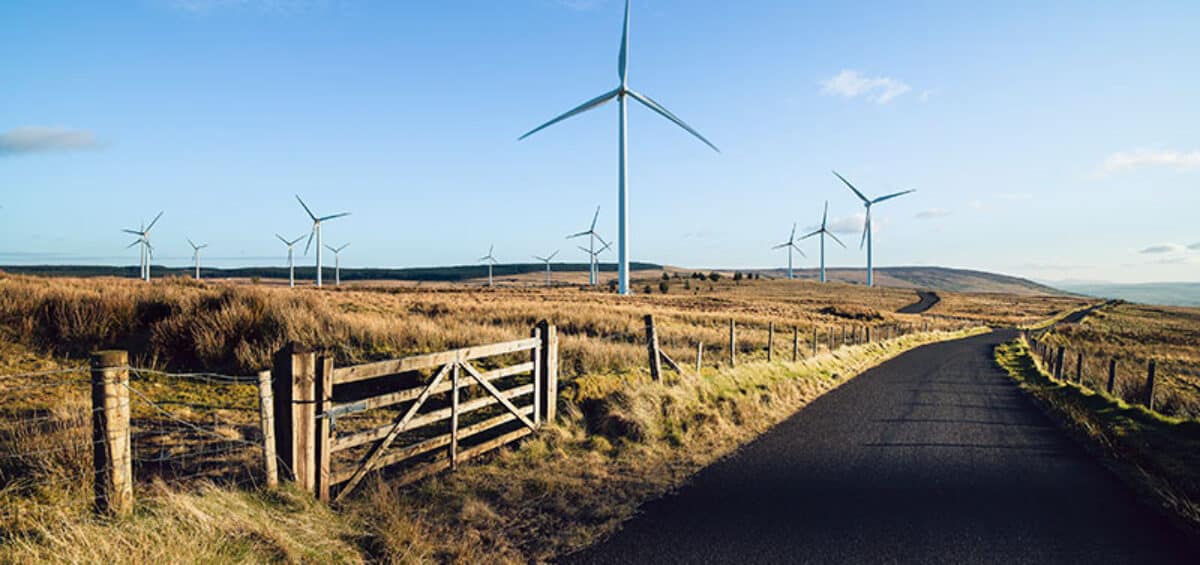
x=1054, y=141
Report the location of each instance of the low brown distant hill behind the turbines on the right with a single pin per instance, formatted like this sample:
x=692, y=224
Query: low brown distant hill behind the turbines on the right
x=932, y=278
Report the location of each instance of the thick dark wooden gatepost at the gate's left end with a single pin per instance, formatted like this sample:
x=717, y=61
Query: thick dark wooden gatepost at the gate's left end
x=296, y=414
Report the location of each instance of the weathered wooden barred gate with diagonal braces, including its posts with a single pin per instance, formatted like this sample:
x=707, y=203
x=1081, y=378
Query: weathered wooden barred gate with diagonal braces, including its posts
x=427, y=412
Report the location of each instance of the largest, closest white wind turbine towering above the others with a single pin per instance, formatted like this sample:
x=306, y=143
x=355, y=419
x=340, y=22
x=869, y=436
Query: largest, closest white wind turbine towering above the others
x=622, y=93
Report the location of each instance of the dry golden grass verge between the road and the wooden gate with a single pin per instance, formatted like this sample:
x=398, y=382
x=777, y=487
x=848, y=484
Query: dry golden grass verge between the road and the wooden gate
x=621, y=441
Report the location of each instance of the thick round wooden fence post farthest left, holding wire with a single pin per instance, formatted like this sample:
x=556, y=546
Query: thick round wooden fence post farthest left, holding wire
x=112, y=450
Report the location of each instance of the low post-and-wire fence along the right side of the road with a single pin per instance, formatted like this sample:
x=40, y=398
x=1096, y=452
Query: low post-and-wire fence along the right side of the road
x=1162, y=386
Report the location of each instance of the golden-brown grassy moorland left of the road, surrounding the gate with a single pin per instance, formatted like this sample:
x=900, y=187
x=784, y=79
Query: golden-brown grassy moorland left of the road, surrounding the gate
x=621, y=438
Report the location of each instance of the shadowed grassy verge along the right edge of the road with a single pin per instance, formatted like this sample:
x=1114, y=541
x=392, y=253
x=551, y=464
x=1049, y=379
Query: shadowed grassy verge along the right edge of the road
x=1159, y=455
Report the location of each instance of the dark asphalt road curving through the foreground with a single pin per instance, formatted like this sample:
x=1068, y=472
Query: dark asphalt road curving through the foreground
x=932, y=458
